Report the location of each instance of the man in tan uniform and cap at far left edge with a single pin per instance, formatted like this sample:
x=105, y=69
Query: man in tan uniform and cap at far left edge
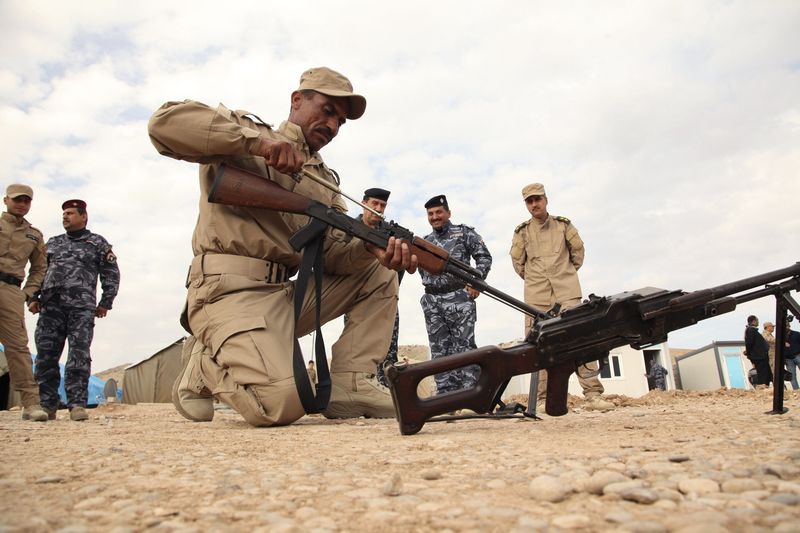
x=20, y=243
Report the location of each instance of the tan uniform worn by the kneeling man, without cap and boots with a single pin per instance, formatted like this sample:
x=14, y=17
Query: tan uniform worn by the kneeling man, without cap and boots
x=240, y=297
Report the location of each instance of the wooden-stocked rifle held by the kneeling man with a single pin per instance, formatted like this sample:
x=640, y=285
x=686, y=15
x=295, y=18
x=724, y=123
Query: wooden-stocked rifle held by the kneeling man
x=238, y=187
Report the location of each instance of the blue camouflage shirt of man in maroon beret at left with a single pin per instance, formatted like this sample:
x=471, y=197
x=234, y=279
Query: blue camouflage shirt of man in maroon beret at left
x=74, y=262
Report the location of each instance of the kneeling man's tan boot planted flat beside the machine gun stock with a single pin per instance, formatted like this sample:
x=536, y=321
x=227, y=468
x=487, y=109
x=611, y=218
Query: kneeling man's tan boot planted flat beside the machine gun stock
x=355, y=394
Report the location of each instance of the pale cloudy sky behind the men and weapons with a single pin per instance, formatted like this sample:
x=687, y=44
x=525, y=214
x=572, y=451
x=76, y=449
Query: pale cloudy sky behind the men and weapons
x=668, y=132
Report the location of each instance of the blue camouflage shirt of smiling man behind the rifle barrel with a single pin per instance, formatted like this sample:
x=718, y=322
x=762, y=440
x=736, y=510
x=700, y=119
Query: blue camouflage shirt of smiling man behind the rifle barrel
x=462, y=243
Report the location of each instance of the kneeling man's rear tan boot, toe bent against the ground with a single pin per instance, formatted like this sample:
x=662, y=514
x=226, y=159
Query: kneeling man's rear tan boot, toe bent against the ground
x=190, y=396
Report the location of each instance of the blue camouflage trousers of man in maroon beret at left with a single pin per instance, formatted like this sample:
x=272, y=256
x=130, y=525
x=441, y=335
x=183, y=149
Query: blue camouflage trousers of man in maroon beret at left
x=56, y=325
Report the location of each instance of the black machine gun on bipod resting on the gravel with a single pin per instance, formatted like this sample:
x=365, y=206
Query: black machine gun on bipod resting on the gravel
x=585, y=333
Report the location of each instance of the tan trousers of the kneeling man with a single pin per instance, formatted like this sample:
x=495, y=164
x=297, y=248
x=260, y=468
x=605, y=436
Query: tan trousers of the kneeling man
x=247, y=326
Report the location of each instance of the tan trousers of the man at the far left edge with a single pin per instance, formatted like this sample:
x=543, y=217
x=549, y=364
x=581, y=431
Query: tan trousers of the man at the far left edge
x=14, y=337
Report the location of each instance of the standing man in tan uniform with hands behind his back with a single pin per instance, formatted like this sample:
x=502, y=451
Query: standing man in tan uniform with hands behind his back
x=547, y=252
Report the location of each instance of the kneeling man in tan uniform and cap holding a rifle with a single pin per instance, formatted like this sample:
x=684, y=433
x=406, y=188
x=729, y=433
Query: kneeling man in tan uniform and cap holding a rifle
x=239, y=303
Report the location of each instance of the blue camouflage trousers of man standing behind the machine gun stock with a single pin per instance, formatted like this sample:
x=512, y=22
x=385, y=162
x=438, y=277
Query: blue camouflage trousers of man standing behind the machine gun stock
x=450, y=321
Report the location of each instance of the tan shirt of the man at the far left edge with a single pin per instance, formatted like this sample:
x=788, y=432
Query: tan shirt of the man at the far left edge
x=21, y=243
